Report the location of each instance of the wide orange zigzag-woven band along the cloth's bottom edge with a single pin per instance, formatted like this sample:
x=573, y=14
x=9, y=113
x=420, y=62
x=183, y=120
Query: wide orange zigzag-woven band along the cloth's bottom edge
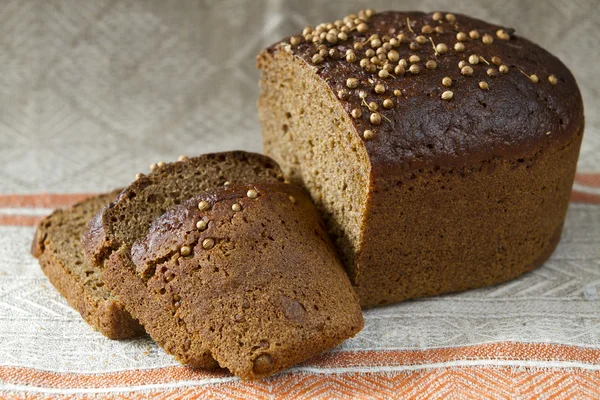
x=464, y=382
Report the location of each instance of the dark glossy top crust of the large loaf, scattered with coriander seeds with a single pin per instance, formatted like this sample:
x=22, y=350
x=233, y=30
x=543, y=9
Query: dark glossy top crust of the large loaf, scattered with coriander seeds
x=513, y=114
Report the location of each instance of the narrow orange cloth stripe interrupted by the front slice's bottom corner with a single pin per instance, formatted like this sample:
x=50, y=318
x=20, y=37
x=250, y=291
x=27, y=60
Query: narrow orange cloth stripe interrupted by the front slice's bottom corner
x=342, y=362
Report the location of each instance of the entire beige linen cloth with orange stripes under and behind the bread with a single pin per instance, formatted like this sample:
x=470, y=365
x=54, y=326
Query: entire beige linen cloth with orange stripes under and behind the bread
x=92, y=92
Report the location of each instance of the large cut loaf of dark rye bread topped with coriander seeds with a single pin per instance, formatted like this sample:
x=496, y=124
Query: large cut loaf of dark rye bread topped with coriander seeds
x=441, y=149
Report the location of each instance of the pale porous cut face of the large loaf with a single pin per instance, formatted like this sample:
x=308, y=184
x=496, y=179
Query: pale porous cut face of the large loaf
x=309, y=132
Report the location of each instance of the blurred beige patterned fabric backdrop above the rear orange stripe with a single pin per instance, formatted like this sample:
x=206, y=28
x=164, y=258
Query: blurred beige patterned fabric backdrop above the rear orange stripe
x=94, y=91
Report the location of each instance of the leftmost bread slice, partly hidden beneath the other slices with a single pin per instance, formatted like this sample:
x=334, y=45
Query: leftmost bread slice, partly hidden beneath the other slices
x=57, y=245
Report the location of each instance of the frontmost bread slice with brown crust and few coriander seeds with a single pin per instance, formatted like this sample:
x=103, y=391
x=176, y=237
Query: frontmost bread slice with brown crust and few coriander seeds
x=243, y=275
